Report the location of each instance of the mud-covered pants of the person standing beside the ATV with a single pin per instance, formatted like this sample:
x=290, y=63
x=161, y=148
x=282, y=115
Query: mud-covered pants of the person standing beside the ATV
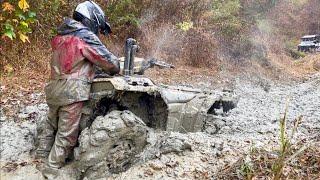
x=59, y=133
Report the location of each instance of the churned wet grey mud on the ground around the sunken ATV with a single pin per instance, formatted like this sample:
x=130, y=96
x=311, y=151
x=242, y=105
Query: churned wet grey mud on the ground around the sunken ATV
x=253, y=124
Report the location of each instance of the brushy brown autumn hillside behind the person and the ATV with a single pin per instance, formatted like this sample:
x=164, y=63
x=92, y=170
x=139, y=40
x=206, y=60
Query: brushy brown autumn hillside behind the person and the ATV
x=205, y=33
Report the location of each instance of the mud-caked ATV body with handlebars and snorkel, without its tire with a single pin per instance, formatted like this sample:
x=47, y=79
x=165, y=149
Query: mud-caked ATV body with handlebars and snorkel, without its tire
x=169, y=108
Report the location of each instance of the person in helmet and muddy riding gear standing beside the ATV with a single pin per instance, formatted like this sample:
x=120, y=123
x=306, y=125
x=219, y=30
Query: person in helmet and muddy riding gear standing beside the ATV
x=76, y=51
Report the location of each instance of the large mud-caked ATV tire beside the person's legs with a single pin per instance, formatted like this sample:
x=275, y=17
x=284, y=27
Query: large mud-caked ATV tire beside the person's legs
x=110, y=144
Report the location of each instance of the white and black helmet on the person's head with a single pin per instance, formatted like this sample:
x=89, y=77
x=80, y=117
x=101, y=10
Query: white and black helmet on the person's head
x=91, y=15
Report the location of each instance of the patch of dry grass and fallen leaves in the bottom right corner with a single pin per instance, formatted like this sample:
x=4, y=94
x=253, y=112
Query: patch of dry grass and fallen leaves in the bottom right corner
x=290, y=160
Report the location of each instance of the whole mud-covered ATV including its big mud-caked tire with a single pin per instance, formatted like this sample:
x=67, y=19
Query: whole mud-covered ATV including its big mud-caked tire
x=125, y=108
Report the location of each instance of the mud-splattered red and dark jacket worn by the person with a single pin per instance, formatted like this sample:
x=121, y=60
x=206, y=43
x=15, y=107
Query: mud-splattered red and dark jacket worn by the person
x=75, y=52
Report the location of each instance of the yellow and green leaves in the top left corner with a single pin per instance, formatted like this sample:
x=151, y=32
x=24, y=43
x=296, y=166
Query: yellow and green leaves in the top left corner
x=16, y=18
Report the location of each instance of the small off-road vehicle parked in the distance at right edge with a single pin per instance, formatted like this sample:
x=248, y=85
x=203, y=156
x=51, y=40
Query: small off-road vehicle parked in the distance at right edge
x=309, y=43
